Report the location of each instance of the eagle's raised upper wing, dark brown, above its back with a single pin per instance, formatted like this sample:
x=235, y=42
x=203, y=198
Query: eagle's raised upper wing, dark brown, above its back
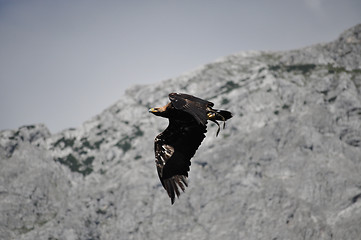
x=195, y=106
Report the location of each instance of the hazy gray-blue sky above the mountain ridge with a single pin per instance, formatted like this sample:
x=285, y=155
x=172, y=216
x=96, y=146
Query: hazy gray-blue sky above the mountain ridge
x=63, y=62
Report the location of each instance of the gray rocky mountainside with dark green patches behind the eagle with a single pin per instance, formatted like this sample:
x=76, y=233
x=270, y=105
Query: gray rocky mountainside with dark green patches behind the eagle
x=287, y=166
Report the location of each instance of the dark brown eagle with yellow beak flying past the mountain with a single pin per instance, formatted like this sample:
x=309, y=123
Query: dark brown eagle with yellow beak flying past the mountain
x=175, y=147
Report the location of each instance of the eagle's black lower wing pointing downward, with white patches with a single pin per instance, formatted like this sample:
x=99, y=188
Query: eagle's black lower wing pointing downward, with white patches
x=173, y=150
